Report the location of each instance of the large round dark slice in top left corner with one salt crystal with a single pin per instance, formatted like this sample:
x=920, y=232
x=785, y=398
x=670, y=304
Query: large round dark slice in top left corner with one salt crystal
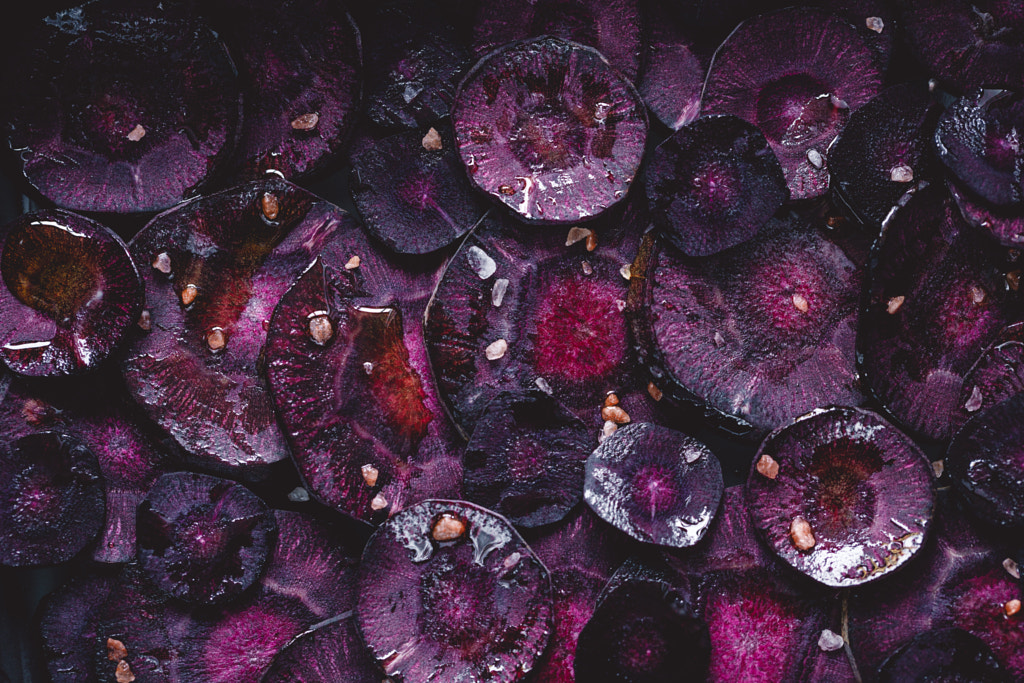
x=122, y=107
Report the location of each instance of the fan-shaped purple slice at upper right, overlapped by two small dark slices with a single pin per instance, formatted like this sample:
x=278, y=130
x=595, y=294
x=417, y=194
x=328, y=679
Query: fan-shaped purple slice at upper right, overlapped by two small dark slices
x=797, y=74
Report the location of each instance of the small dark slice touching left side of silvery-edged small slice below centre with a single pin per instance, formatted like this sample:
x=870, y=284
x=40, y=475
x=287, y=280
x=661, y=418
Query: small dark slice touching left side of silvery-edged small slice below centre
x=526, y=459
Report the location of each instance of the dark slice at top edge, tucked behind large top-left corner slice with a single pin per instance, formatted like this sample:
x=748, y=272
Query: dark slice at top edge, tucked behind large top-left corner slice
x=296, y=59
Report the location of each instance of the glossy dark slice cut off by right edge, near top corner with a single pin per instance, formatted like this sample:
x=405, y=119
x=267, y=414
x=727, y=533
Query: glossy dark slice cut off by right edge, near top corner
x=977, y=139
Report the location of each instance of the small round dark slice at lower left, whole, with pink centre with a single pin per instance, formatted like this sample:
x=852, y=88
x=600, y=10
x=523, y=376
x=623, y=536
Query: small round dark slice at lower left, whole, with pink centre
x=202, y=539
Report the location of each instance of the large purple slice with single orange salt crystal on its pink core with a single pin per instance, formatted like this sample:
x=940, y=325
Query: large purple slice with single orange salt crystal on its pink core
x=760, y=334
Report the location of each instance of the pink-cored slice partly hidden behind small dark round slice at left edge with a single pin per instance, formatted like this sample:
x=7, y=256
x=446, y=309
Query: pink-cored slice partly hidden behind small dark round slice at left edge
x=95, y=411
